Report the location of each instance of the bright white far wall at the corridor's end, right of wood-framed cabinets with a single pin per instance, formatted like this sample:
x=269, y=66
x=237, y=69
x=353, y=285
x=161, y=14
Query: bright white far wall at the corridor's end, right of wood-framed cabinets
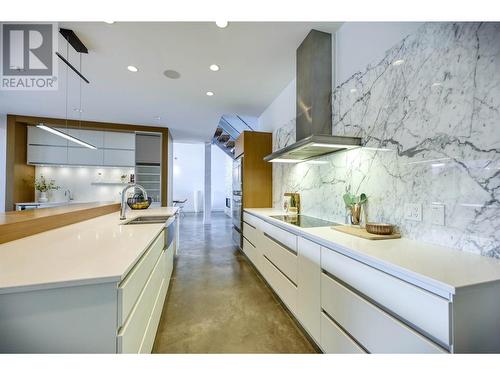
x=189, y=169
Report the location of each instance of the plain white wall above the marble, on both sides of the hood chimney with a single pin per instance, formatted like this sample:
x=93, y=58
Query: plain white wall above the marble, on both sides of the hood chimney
x=357, y=45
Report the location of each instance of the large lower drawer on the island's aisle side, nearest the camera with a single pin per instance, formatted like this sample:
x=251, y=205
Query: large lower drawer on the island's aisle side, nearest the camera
x=136, y=331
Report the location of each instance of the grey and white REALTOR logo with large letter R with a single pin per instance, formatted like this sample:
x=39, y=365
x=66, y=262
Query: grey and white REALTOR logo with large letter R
x=28, y=59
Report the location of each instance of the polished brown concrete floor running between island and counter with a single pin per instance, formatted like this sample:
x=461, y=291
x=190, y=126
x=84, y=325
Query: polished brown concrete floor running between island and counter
x=217, y=303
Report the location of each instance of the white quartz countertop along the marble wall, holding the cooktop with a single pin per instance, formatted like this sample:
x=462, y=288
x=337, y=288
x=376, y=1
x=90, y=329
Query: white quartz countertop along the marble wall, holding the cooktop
x=437, y=268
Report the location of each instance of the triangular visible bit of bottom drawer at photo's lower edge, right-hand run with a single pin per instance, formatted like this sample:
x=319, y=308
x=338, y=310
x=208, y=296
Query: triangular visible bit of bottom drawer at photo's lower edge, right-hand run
x=335, y=341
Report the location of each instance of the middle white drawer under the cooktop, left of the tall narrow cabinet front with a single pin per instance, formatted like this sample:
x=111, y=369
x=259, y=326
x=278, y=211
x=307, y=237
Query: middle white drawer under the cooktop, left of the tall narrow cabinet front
x=284, y=259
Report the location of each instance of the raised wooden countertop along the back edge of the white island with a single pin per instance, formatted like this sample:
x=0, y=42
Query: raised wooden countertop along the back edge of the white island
x=18, y=224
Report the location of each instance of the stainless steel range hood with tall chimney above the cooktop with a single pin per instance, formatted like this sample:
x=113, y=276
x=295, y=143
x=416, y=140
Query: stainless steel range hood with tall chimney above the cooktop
x=314, y=110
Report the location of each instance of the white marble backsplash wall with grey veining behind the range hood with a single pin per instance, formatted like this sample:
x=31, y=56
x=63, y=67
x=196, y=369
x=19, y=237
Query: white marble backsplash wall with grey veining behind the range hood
x=429, y=117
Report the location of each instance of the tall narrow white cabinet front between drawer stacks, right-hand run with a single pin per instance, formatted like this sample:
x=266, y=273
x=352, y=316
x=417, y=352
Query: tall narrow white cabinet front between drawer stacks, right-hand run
x=309, y=287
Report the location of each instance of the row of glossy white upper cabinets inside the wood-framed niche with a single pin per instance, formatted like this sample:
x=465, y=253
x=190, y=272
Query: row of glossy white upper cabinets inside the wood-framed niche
x=113, y=148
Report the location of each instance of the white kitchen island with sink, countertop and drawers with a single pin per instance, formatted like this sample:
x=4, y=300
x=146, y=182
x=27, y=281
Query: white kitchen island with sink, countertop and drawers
x=97, y=286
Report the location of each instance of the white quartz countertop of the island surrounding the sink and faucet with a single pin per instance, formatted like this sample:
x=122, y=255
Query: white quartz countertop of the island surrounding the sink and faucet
x=92, y=251
